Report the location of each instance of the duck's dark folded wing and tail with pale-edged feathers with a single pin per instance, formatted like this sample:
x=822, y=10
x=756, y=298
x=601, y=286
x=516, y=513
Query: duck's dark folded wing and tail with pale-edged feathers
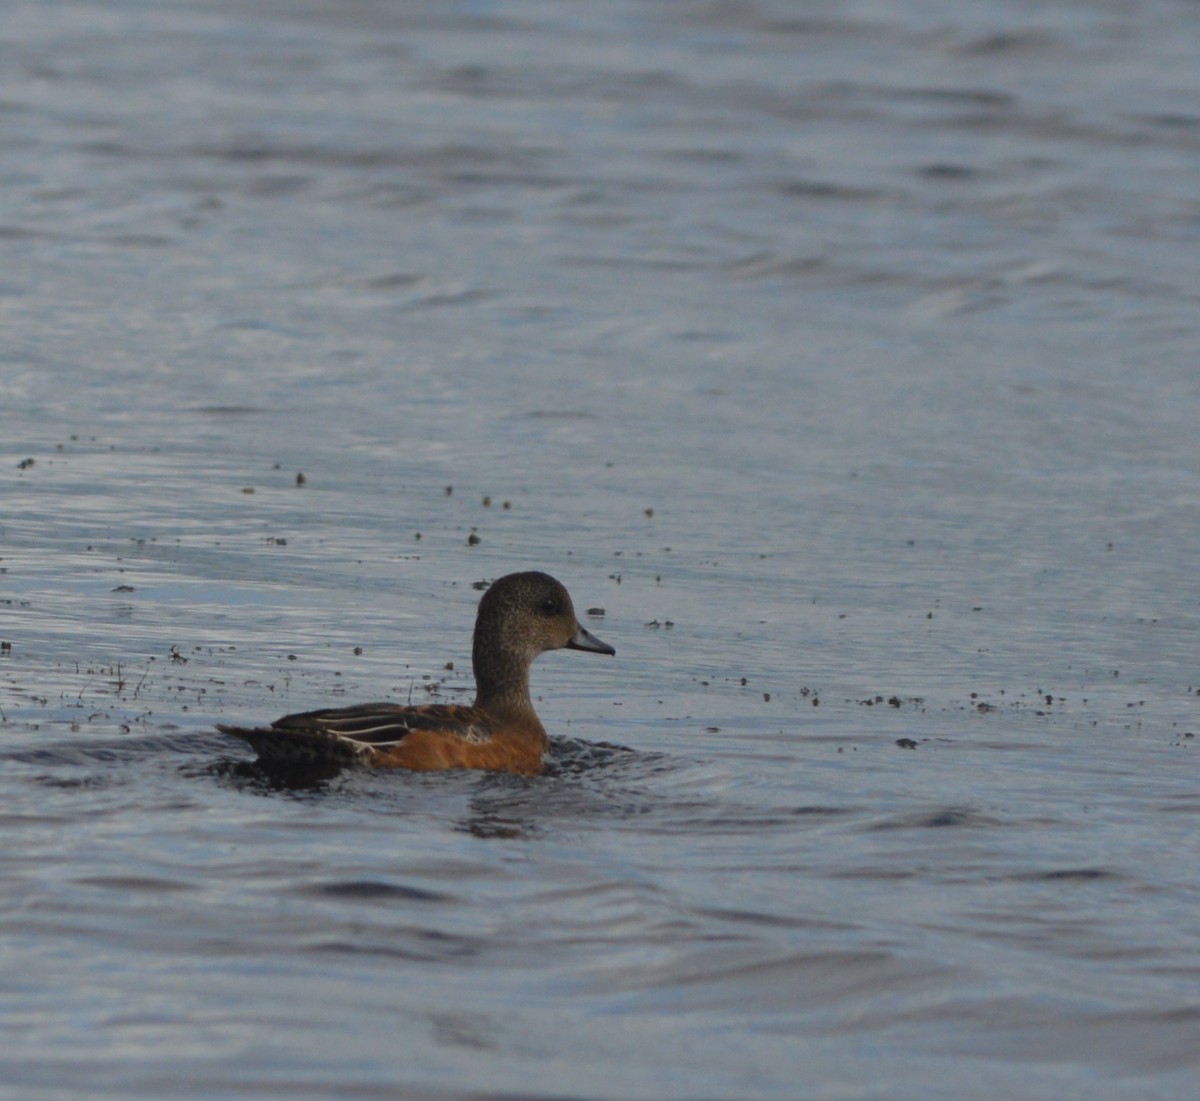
x=362, y=733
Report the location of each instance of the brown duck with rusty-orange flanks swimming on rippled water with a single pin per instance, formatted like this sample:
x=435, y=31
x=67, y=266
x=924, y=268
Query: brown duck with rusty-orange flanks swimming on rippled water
x=520, y=617
